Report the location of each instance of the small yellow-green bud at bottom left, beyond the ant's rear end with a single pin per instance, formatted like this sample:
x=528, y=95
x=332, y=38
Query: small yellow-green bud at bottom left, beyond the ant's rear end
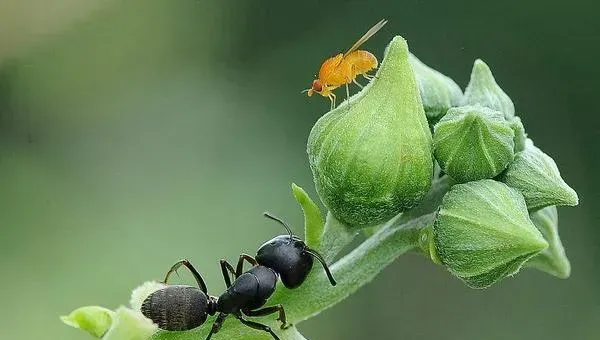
x=92, y=319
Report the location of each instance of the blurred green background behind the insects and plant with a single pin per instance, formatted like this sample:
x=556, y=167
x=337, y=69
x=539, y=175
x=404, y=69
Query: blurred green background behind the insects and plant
x=135, y=133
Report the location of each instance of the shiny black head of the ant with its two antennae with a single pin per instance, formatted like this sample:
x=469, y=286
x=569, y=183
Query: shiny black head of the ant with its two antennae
x=290, y=257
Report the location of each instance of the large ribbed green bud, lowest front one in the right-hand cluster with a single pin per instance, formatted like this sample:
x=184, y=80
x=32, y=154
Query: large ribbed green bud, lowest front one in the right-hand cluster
x=483, y=233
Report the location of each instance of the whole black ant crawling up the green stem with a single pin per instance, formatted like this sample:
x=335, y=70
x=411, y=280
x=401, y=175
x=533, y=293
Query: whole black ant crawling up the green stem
x=181, y=307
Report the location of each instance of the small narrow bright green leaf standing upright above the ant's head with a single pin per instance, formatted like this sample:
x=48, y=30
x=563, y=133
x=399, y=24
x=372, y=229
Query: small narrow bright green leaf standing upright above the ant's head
x=314, y=225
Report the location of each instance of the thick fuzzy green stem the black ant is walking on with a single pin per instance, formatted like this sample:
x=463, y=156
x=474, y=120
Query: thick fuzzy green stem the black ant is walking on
x=316, y=294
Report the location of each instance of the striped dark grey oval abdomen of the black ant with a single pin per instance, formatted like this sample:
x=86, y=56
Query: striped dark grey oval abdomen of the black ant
x=176, y=308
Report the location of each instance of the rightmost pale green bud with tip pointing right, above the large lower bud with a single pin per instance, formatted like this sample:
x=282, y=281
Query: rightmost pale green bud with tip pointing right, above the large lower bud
x=536, y=176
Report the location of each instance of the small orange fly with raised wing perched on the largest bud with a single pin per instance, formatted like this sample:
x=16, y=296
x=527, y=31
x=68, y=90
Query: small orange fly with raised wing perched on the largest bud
x=343, y=69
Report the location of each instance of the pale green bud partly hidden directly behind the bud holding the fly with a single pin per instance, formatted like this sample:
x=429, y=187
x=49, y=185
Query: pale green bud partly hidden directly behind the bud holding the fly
x=438, y=92
